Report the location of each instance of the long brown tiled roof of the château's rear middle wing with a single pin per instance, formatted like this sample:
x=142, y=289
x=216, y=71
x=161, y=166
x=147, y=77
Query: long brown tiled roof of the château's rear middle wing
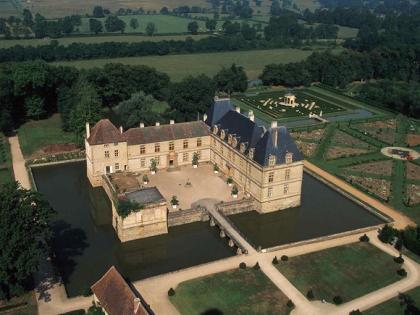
x=162, y=133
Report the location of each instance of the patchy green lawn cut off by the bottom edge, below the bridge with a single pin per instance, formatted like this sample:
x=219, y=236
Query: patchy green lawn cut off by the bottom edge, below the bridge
x=238, y=291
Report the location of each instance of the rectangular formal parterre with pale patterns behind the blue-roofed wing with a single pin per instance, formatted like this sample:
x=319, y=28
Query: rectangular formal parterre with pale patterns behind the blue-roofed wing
x=274, y=104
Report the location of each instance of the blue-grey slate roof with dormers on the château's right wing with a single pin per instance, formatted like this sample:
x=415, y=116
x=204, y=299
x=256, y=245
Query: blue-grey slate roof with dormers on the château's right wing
x=274, y=141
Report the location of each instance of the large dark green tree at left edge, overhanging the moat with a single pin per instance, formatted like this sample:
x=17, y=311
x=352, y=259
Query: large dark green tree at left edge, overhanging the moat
x=24, y=236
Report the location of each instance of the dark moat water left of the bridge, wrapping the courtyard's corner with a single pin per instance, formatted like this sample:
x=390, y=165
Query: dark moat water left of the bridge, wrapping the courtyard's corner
x=85, y=244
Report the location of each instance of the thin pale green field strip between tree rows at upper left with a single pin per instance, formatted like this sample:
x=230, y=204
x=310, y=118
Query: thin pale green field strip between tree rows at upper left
x=95, y=40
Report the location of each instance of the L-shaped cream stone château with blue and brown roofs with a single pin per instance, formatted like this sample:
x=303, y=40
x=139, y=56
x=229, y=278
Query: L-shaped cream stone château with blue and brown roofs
x=264, y=164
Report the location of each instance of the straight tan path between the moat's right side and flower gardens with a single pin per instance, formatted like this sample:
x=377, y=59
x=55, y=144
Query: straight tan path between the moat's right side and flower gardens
x=400, y=220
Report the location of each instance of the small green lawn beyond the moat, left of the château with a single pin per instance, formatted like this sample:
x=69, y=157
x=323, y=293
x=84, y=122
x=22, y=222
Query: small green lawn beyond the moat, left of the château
x=35, y=135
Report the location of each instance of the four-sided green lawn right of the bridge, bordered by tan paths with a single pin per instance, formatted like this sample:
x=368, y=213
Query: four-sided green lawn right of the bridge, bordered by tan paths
x=348, y=271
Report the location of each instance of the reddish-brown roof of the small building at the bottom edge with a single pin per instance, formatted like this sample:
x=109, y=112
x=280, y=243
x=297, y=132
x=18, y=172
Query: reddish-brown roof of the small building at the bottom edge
x=115, y=295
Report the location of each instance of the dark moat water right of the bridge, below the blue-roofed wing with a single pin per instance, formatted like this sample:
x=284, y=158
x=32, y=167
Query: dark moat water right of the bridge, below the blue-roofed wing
x=323, y=211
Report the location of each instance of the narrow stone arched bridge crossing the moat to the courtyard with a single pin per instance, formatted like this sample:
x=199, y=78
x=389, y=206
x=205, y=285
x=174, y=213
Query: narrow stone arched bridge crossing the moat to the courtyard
x=226, y=229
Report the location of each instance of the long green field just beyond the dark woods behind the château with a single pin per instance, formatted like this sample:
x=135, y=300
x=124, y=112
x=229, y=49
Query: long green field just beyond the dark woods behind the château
x=180, y=66
